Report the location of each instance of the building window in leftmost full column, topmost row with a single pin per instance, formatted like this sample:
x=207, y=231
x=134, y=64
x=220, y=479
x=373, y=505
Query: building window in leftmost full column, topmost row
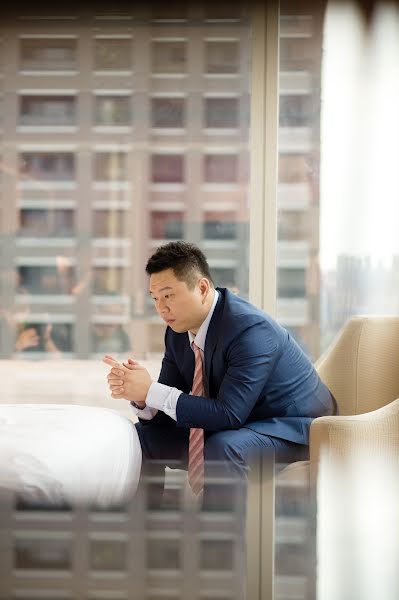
x=48, y=54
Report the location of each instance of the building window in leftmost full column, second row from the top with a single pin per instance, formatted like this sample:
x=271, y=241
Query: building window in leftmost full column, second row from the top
x=47, y=110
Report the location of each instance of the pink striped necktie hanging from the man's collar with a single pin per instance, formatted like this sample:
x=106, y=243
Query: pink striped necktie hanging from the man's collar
x=196, y=442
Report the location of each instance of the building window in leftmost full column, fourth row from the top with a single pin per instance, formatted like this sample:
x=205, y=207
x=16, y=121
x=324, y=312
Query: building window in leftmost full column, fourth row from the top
x=46, y=222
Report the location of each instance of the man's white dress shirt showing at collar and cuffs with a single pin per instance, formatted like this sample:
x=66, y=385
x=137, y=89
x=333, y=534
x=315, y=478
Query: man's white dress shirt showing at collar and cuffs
x=164, y=397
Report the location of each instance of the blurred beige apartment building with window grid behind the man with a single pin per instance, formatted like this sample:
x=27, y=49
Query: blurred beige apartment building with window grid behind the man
x=126, y=129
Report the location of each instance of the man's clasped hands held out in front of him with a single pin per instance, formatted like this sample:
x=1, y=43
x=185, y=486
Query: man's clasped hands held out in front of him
x=130, y=381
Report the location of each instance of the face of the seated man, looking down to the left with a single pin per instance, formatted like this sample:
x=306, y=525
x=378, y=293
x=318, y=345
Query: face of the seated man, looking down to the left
x=183, y=309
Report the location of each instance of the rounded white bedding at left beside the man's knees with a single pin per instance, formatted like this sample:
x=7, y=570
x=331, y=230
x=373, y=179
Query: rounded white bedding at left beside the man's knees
x=59, y=454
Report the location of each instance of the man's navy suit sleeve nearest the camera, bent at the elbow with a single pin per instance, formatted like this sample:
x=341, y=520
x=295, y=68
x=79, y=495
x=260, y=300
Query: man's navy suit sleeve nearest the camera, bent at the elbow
x=250, y=358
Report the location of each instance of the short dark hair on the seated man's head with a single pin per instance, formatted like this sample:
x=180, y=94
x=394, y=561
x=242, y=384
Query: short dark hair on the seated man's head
x=186, y=260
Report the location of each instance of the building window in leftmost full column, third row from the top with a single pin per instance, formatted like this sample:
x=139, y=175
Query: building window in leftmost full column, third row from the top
x=48, y=166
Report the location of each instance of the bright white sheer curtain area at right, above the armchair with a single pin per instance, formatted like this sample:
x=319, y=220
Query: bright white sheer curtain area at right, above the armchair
x=359, y=252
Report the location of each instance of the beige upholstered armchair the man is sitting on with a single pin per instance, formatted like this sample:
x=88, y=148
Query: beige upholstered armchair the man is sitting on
x=361, y=369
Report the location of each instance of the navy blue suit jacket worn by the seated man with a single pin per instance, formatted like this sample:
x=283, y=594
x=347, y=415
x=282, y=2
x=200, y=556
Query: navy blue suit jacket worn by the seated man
x=256, y=376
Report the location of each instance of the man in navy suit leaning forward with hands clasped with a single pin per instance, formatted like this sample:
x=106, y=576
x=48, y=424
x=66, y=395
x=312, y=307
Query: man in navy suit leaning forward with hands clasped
x=233, y=382
